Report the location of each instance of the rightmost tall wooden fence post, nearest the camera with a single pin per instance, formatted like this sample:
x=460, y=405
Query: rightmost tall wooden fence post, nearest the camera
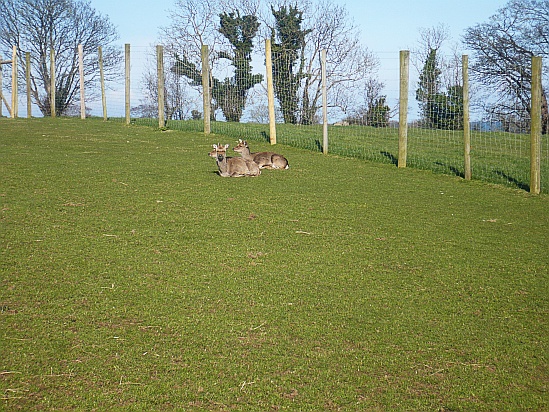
x=535, y=128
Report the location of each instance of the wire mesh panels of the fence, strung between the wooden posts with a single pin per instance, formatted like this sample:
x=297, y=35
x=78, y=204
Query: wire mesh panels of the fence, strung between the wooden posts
x=360, y=115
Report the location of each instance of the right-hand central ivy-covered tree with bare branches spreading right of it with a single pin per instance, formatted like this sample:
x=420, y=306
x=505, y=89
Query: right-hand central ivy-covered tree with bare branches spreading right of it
x=301, y=32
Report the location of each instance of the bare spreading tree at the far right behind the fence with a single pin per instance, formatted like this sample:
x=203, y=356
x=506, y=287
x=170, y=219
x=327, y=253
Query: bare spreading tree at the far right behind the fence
x=503, y=48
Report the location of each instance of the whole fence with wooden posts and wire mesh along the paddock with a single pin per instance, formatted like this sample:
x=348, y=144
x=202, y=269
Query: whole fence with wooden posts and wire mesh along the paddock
x=482, y=148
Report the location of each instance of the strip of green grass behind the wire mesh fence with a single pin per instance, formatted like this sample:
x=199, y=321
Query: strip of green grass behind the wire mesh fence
x=496, y=157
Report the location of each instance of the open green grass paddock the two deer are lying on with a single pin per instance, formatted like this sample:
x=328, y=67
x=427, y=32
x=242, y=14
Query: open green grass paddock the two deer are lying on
x=133, y=277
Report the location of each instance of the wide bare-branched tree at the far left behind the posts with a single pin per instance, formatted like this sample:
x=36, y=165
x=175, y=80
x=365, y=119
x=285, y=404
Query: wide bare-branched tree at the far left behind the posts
x=38, y=26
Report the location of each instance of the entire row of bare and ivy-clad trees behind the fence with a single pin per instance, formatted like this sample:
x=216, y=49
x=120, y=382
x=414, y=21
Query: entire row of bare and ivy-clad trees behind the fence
x=501, y=49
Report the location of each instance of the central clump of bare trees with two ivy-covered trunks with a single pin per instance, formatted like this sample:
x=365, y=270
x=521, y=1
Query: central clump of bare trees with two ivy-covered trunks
x=299, y=32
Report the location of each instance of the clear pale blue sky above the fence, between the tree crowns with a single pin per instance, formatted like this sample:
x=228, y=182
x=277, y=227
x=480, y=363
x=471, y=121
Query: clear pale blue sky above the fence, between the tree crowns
x=386, y=26
